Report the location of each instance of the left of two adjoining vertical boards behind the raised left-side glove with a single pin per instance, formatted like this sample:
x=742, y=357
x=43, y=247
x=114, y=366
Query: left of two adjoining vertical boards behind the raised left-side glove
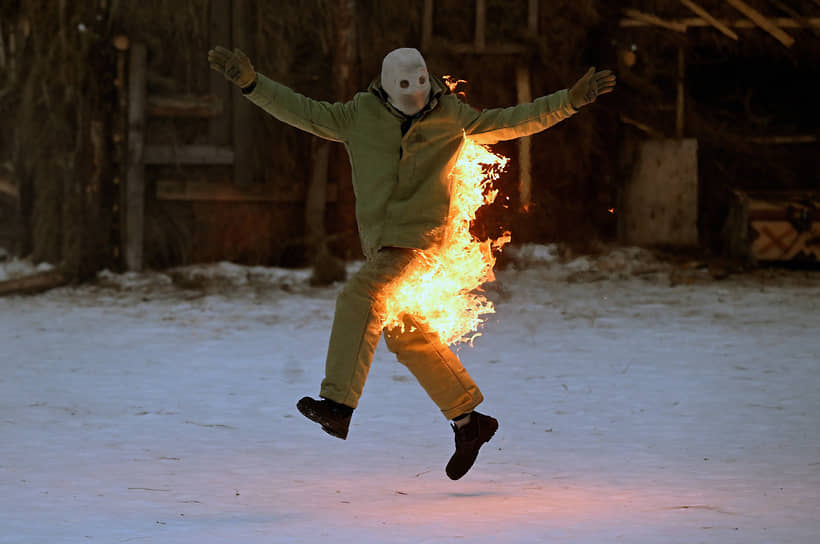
x=219, y=128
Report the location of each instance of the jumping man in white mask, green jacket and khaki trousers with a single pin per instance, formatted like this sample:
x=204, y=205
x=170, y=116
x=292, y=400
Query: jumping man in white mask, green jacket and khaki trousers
x=402, y=136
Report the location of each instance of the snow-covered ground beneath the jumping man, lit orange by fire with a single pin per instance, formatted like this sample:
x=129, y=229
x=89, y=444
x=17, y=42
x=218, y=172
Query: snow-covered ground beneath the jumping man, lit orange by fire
x=639, y=402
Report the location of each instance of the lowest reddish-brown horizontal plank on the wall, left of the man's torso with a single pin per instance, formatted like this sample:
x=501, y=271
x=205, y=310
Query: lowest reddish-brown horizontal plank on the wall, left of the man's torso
x=225, y=190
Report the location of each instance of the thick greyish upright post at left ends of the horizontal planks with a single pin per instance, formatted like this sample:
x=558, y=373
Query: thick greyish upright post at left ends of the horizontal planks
x=134, y=193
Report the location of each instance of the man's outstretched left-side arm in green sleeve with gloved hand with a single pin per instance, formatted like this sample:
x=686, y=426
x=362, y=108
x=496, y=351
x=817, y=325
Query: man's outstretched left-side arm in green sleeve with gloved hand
x=323, y=119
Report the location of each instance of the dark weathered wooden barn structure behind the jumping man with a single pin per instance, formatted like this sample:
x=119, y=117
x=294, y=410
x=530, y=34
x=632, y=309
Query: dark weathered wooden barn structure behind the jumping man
x=123, y=150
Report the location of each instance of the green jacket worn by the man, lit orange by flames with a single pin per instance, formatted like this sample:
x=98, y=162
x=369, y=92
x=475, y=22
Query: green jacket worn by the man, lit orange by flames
x=401, y=183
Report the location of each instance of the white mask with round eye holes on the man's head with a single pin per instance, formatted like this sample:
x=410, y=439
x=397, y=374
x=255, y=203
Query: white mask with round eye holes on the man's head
x=405, y=80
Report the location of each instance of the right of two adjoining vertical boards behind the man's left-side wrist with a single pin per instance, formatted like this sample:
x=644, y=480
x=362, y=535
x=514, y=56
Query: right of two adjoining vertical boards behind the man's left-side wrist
x=243, y=109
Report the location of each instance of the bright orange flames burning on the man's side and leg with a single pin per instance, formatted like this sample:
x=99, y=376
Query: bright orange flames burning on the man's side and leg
x=441, y=287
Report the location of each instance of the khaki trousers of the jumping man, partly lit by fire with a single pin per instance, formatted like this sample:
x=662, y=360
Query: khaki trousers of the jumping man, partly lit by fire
x=356, y=332
